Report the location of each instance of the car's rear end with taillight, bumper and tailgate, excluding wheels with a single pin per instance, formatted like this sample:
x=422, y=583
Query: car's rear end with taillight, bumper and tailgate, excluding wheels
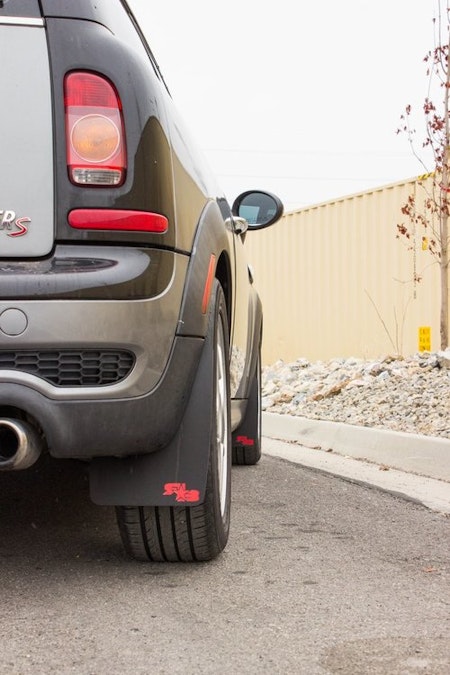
x=91, y=278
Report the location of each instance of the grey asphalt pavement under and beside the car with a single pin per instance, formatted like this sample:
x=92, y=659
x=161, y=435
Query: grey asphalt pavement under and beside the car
x=320, y=577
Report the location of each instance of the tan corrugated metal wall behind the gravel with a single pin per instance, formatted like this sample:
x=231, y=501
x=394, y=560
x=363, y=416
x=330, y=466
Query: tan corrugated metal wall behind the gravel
x=331, y=274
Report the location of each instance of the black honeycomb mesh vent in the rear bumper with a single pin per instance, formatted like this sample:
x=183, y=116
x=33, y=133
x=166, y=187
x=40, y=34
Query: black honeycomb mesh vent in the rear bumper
x=70, y=367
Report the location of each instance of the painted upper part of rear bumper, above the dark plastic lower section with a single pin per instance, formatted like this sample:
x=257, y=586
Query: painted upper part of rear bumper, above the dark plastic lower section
x=88, y=300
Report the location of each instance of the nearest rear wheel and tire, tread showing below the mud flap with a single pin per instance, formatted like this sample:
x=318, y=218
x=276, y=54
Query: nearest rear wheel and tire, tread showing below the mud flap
x=192, y=533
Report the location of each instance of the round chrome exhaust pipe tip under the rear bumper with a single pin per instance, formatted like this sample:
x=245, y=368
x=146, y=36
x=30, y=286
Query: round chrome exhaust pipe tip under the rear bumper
x=20, y=444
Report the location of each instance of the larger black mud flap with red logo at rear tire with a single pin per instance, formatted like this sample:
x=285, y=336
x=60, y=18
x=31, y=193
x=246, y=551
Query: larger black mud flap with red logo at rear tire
x=177, y=473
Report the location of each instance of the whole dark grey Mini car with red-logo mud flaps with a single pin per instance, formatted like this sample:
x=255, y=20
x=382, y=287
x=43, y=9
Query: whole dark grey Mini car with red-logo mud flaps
x=130, y=330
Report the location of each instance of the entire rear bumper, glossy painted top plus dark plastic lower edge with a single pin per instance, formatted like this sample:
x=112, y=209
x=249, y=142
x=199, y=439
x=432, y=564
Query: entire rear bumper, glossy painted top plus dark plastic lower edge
x=63, y=319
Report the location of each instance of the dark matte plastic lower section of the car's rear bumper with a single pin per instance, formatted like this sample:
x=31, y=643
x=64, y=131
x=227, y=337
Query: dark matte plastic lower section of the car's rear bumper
x=118, y=427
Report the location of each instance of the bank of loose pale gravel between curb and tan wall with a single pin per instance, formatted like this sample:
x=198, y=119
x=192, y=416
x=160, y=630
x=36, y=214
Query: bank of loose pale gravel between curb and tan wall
x=410, y=394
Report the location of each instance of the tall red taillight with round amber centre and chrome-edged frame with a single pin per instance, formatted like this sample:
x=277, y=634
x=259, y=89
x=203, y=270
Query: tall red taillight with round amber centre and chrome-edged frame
x=95, y=135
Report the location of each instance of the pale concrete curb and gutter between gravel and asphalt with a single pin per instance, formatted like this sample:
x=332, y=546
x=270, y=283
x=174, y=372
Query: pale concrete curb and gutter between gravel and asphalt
x=409, y=465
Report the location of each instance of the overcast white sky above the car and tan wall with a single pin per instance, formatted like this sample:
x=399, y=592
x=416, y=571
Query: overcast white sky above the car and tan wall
x=299, y=97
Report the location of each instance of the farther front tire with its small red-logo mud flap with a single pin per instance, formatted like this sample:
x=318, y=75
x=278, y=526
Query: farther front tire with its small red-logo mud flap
x=247, y=437
